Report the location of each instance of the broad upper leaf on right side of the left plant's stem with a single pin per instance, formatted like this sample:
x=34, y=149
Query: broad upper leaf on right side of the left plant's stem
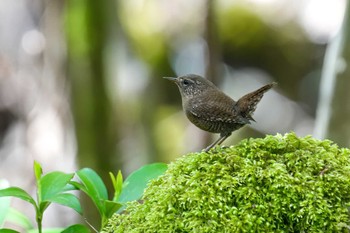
x=53, y=183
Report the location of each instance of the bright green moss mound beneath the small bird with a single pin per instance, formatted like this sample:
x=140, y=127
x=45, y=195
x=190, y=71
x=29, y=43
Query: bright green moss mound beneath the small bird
x=275, y=184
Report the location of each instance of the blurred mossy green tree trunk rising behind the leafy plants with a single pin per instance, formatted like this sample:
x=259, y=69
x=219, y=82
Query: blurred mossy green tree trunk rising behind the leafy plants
x=94, y=113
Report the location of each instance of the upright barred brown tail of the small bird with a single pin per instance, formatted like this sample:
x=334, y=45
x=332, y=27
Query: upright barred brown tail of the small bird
x=247, y=104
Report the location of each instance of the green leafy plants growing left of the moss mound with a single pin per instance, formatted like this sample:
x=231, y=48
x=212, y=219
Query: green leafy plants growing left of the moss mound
x=54, y=187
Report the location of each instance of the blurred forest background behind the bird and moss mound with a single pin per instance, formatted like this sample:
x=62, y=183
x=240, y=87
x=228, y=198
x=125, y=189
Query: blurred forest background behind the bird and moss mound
x=81, y=81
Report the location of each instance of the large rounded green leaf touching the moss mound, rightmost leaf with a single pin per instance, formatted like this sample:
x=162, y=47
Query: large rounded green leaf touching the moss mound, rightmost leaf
x=136, y=183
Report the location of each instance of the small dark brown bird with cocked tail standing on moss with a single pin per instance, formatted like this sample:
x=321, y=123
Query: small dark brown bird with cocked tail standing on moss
x=212, y=110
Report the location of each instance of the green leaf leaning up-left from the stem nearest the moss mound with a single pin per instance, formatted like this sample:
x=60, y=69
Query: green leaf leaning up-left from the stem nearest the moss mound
x=93, y=187
